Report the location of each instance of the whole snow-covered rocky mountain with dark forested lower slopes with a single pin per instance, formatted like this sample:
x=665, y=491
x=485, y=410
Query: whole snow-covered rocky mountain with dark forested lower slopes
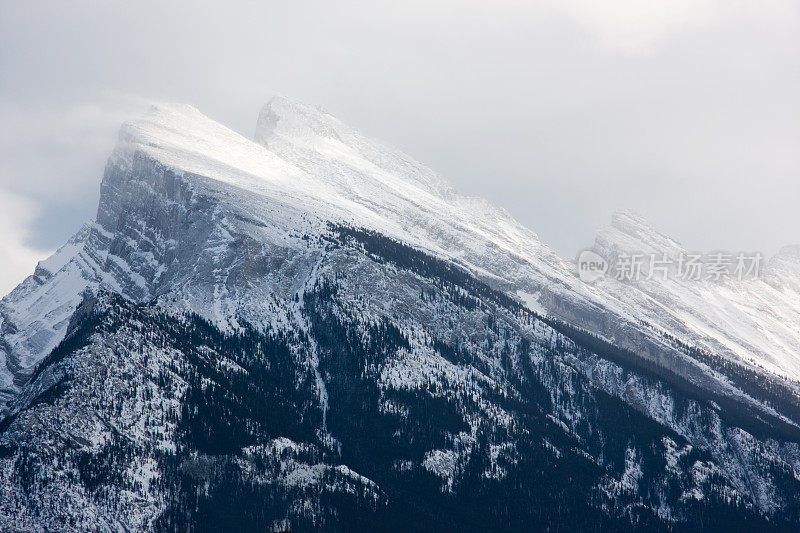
x=313, y=331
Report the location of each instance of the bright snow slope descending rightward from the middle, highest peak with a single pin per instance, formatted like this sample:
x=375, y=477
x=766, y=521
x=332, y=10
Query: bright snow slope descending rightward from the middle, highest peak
x=401, y=193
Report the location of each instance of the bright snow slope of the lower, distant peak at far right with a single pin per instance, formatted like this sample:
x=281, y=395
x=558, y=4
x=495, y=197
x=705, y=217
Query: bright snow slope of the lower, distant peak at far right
x=754, y=320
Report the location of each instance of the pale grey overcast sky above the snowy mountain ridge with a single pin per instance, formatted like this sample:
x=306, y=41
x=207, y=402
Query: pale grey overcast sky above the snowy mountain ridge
x=561, y=112
